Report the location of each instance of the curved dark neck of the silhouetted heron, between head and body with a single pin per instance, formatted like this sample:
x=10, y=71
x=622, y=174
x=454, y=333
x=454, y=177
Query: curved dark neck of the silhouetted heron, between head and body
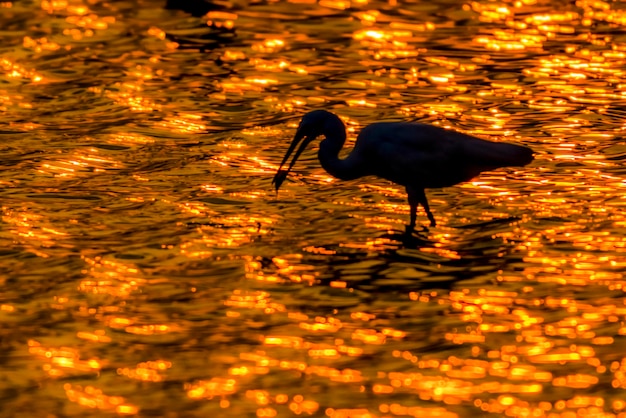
x=328, y=154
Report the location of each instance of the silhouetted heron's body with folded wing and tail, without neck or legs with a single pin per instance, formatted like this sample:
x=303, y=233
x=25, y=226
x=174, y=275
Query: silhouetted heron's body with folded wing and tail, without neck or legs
x=428, y=156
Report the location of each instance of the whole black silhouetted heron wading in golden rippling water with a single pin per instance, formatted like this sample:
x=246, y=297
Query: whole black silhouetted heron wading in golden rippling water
x=417, y=156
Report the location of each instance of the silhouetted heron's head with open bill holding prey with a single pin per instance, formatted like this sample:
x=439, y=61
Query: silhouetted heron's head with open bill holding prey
x=311, y=126
